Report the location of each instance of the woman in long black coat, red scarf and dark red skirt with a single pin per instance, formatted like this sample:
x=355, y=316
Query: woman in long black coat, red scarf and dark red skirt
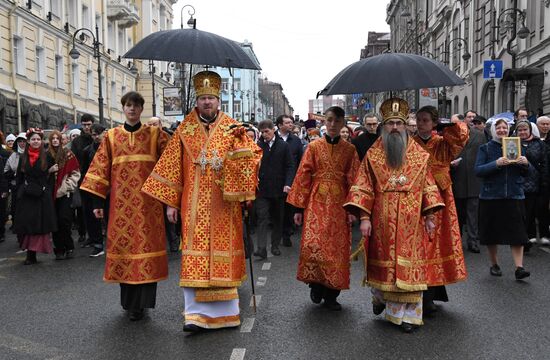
x=35, y=213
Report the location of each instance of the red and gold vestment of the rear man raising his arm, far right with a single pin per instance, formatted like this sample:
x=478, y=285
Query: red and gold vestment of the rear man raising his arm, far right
x=444, y=253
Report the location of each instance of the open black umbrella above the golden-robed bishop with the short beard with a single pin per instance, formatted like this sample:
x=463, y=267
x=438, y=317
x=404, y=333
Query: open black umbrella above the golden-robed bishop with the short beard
x=192, y=46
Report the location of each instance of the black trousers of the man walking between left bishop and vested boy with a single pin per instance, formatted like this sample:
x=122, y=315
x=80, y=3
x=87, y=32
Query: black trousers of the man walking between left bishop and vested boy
x=269, y=209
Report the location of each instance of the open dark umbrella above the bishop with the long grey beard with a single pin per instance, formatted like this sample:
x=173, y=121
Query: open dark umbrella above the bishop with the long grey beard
x=391, y=72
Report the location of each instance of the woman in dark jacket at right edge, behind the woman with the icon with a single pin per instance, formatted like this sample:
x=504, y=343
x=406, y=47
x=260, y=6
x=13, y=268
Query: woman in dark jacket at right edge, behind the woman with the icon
x=536, y=181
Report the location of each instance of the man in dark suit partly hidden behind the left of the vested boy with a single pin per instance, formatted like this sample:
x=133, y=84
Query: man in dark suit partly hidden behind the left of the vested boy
x=285, y=124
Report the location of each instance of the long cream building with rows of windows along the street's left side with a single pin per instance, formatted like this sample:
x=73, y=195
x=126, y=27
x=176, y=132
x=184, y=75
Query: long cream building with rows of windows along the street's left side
x=41, y=85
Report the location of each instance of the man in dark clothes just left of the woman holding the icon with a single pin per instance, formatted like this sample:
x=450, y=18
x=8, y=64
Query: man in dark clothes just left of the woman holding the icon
x=466, y=184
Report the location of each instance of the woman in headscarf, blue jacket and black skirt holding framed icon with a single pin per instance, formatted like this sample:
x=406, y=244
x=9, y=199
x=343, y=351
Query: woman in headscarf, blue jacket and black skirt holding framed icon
x=501, y=200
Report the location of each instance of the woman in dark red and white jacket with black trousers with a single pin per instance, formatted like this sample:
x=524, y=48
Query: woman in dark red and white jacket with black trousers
x=66, y=182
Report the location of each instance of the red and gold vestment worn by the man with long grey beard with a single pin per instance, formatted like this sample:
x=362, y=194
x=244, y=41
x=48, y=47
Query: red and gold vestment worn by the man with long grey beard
x=395, y=201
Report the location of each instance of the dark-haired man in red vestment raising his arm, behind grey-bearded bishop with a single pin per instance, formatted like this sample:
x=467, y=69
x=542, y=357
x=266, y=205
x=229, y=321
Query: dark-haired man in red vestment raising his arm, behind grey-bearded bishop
x=444, y=253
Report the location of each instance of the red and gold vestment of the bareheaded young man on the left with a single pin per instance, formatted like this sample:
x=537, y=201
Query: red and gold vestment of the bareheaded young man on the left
x=136, y=250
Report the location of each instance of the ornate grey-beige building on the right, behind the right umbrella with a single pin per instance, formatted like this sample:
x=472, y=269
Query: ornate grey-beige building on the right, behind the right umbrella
x=463, y=34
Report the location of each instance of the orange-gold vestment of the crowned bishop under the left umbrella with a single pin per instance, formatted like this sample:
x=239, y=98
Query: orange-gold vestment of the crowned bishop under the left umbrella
x=189, y=176
